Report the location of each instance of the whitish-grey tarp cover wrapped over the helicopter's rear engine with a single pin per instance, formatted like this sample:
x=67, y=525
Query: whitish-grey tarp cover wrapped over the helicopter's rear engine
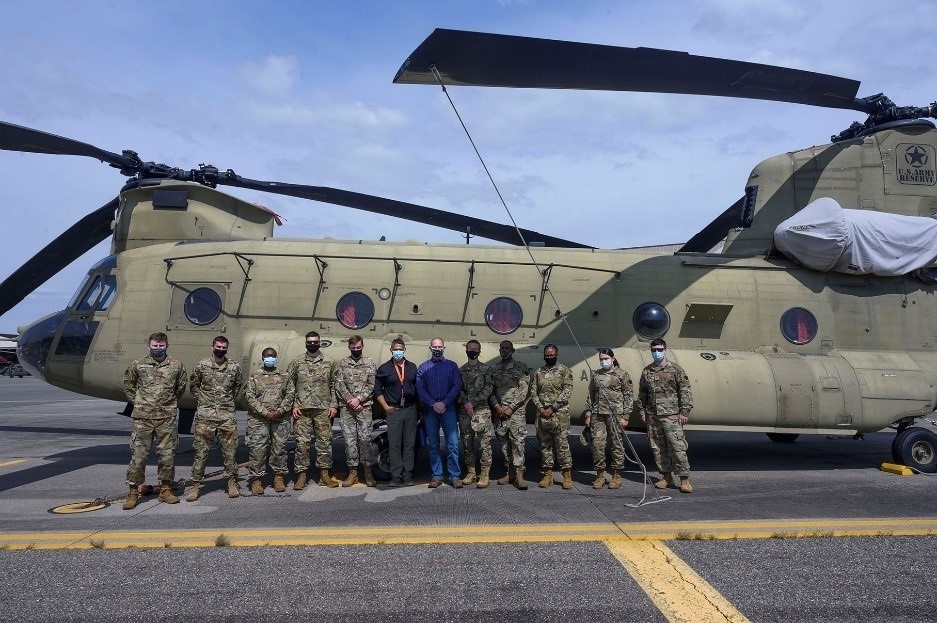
x=826, y=237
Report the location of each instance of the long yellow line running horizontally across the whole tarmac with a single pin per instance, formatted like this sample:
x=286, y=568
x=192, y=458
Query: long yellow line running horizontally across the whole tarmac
x=464, y=534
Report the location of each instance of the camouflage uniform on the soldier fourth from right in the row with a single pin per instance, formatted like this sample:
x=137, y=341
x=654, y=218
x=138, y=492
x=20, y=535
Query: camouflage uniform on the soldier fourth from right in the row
x=512, y=382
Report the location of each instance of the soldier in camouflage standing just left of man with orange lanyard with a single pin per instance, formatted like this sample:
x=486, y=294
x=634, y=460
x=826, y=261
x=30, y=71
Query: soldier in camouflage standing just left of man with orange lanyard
x=354, y=388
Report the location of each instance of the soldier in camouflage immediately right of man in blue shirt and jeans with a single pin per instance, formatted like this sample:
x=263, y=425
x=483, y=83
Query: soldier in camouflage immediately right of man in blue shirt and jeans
x=474, y=414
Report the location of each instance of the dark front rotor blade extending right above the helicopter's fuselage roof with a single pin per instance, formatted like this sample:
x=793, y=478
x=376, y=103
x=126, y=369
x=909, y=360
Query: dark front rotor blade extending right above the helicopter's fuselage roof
x=401, y=209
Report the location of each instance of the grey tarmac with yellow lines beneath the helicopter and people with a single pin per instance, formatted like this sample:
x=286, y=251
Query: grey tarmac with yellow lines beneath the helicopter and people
x=808, y=531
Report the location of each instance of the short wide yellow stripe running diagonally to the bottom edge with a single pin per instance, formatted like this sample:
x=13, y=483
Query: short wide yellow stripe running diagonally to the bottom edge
x=680, y=593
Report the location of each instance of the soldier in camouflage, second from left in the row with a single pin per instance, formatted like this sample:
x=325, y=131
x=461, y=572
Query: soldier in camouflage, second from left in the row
x=215, y=383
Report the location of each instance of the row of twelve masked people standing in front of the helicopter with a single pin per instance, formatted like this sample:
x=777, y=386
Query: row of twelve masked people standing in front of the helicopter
x=477, y=400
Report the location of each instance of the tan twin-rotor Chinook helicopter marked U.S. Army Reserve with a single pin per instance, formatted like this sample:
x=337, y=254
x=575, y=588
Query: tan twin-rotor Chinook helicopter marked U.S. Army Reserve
x=769, y=344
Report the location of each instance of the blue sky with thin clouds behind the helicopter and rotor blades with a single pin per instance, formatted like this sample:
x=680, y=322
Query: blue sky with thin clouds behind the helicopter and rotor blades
x=302, y=92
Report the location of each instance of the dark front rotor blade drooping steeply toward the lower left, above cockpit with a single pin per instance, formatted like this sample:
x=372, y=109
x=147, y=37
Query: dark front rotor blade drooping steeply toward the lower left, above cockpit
x=76, y=241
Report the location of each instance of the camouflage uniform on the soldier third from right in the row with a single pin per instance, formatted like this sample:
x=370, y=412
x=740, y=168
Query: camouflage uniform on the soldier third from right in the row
x=552, y=386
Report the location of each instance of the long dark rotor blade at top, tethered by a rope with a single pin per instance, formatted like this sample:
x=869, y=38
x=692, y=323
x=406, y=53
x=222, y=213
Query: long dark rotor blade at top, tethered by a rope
x=483, y=59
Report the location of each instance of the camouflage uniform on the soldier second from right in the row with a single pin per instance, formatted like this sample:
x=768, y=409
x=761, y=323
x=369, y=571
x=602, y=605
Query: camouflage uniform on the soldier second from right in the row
x=611, y=397
